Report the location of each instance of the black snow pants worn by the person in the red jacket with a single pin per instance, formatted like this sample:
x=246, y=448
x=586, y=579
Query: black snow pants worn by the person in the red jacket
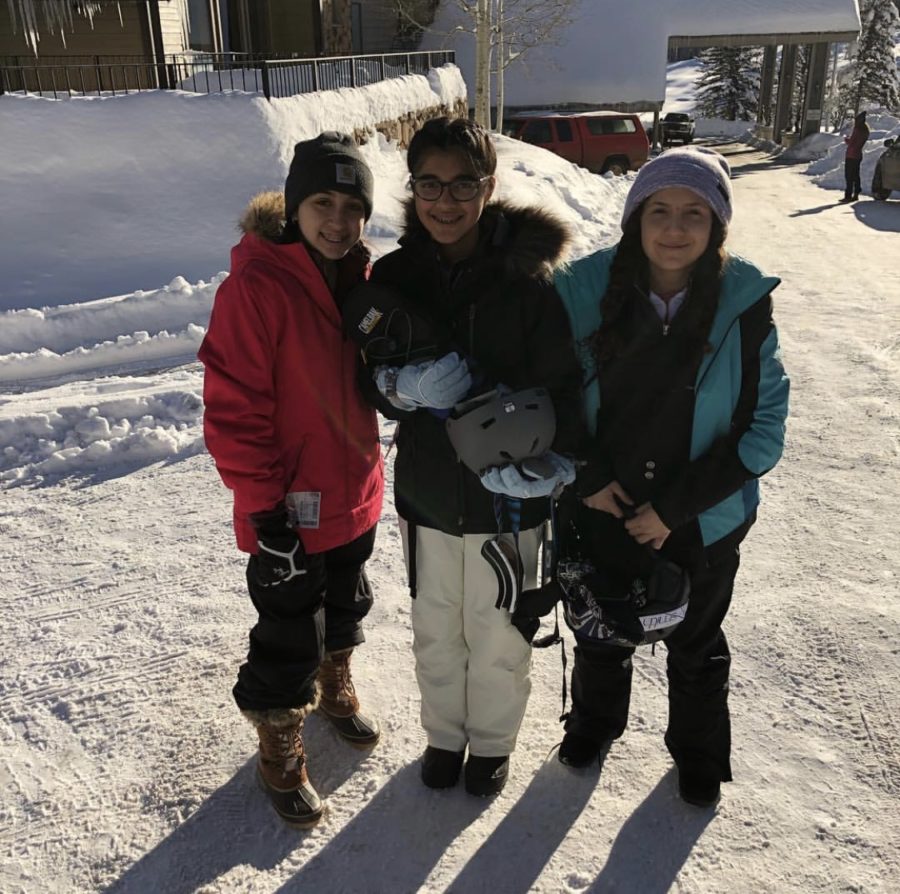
x=320, y=611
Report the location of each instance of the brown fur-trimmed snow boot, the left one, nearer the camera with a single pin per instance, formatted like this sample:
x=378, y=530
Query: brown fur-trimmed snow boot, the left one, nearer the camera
x=281, y=768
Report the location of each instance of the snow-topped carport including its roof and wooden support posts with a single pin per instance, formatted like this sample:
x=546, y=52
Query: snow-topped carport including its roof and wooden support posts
x=613, y=55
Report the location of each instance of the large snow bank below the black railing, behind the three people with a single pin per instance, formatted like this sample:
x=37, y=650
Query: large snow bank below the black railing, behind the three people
x=149, y=328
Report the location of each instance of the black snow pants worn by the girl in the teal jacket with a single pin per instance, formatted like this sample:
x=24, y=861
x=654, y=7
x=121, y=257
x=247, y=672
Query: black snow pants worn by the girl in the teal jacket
x=698, y=663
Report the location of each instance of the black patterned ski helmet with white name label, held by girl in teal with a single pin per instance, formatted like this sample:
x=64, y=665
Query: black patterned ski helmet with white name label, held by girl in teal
x=603, y=608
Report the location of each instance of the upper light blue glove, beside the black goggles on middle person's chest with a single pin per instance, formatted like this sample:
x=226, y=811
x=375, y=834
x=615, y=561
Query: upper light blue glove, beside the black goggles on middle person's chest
x=433, y=384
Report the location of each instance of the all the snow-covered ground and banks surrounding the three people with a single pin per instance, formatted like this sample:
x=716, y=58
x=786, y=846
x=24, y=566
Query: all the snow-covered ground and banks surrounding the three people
x=124, y=765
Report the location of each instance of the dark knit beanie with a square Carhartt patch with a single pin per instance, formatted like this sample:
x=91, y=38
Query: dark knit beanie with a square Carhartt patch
x=330, y=161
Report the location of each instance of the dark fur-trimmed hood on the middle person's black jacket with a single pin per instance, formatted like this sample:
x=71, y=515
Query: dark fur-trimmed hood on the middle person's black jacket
x=534, y=241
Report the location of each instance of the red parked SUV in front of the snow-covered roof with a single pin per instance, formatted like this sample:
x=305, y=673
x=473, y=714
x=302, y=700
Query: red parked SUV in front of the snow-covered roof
x=599, y=141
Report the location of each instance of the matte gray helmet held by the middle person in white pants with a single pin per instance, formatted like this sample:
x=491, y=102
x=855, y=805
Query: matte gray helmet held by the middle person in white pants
x=494, y=428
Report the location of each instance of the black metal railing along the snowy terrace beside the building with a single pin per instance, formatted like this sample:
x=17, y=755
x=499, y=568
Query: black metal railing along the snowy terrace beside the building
x=207, y=73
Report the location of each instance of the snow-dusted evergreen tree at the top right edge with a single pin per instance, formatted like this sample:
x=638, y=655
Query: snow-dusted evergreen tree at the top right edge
x=873, y=77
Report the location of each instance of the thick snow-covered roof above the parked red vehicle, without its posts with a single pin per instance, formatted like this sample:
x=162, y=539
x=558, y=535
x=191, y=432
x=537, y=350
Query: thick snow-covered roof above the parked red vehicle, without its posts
x=616, y=53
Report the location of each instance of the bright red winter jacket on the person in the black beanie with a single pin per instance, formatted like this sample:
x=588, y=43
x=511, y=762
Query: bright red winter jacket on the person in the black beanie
x=282, y=410
